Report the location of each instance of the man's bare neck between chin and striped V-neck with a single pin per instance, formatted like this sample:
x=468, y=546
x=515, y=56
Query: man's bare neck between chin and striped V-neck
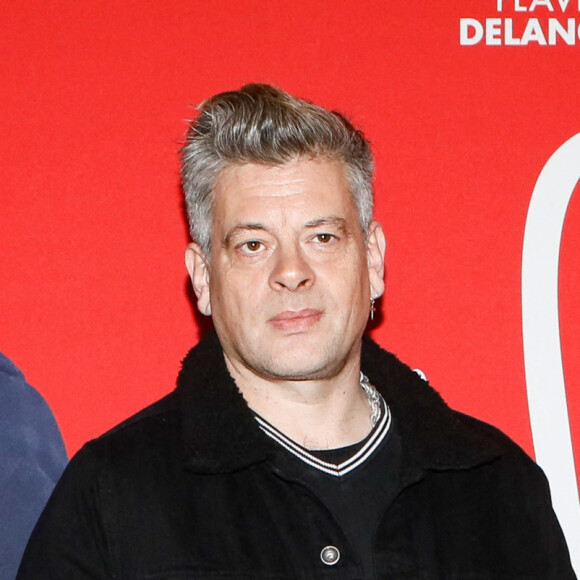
x=318, y=414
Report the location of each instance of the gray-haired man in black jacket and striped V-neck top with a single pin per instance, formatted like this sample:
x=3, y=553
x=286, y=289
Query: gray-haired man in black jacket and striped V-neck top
x=293, y=447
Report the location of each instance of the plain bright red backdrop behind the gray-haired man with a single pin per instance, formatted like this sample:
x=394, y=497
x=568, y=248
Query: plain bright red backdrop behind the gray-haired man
x=94, y=300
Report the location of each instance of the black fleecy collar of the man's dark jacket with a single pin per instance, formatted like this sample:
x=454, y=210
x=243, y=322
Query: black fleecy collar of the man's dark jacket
x=220, y=433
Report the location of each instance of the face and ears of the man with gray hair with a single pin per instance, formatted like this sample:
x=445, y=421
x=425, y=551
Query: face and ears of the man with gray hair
x=290, y=275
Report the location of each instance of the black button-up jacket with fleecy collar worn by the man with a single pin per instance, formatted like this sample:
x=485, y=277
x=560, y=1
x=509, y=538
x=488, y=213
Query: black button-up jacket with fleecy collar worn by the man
x=186, y=489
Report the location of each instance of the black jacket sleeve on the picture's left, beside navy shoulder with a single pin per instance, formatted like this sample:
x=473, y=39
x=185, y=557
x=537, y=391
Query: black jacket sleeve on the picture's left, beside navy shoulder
x=69, y=540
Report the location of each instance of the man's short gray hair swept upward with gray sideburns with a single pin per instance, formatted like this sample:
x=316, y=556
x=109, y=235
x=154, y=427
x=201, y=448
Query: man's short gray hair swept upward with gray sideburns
x=263, y=124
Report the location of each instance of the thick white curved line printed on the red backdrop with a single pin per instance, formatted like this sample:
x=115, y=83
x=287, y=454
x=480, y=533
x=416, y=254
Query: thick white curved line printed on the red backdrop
x=541, y=334
